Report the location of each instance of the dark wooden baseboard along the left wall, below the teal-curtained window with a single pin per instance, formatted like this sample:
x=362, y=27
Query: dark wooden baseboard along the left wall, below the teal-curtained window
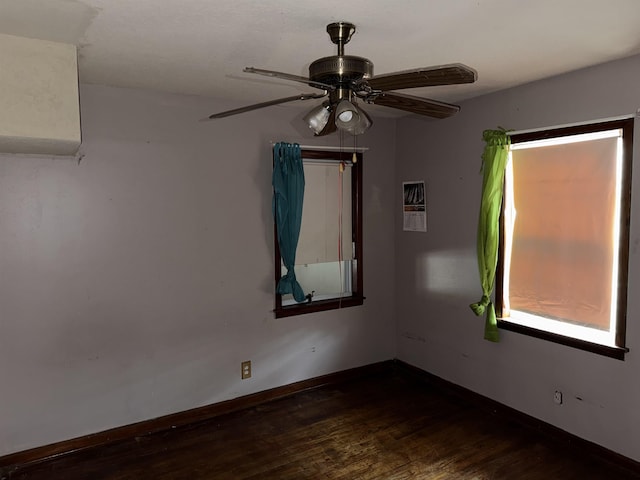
x=185, y=418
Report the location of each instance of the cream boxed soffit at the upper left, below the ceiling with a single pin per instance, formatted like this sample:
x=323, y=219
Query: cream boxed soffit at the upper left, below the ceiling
x=39, y=104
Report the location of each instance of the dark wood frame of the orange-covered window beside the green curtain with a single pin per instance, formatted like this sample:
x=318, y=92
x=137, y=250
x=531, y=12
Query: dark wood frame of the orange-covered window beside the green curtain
x=619, y=350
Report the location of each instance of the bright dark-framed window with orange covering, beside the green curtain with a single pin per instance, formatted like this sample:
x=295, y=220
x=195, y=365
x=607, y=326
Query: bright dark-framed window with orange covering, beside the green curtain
x=562, y=272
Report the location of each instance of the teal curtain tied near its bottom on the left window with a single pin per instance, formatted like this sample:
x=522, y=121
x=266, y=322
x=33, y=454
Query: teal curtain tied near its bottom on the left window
x=288, y=195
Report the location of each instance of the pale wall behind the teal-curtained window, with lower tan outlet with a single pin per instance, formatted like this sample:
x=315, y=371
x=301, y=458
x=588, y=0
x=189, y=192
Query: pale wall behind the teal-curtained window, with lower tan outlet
x=134, y=281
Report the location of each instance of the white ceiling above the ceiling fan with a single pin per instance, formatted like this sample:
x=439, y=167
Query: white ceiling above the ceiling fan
x=201, y=46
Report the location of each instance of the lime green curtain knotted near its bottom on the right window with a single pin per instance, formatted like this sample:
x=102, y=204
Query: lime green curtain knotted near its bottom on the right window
x=494, y=160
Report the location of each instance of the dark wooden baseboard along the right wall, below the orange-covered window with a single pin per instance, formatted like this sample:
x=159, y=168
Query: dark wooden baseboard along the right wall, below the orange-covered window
x=558, y=435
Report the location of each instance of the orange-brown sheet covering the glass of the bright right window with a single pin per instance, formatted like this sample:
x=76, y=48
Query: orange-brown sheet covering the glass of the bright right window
x=563, y=250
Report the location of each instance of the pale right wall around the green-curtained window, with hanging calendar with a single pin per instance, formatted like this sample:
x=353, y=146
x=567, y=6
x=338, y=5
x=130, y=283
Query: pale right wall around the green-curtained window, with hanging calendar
x=437, y=274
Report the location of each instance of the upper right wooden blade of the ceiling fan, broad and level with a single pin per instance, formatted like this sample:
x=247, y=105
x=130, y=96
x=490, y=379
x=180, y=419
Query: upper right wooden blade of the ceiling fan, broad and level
x=424, y=77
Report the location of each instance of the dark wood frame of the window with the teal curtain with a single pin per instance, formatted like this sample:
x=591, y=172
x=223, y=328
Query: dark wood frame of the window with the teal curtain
x=356, y=298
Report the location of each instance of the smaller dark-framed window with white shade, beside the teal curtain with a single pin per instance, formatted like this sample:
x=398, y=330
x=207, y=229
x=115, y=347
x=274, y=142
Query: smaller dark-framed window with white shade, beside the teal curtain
x=329, y=254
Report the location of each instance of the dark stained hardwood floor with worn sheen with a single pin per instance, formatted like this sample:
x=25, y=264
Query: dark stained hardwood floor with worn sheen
x=389, y=427
